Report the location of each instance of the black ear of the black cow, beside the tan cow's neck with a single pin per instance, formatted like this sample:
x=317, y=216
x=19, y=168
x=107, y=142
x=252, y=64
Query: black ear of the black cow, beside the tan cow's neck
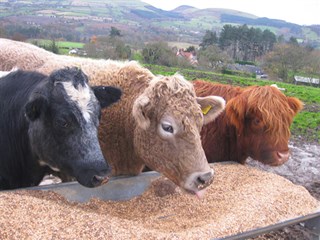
x=106, y=95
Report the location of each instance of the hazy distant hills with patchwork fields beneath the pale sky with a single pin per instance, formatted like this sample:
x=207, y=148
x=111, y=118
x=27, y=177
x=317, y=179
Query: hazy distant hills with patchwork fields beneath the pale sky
x=137, y=19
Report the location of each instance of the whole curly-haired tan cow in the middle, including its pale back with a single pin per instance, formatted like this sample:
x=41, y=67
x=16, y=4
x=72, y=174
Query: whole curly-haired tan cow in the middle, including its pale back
x=156, y=123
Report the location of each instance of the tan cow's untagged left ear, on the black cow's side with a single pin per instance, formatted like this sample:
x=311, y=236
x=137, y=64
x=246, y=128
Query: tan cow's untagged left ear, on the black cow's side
x=139, y=111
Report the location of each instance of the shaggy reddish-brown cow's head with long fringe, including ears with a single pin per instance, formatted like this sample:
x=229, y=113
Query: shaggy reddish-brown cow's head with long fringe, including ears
x=262, y=117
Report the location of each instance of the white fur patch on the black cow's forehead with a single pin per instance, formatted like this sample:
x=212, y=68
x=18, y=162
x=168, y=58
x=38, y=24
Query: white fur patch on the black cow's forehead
x=81, y=96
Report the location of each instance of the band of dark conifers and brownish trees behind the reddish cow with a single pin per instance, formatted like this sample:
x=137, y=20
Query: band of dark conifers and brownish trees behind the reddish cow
x=281, y=59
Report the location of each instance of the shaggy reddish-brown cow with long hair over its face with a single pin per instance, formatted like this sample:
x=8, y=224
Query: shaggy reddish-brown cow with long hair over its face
x=256, y=123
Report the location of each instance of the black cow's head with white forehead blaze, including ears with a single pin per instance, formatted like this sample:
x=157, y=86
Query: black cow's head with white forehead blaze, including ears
x=63, y=116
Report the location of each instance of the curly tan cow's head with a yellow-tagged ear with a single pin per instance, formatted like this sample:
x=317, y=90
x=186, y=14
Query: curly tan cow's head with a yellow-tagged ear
x=169, y=119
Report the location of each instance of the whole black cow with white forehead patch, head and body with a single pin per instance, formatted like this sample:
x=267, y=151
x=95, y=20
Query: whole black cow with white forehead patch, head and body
x=51, y=123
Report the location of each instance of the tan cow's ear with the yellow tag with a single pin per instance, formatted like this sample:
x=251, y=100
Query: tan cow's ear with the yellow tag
x=211, y=107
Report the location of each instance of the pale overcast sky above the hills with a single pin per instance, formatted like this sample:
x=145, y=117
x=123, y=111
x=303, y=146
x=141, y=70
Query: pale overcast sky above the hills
x=303, y=12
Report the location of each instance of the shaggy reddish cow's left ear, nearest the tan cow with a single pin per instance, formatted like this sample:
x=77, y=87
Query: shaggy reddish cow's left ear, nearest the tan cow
x=235, y=112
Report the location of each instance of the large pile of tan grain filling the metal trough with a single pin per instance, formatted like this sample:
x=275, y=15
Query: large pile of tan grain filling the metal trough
x=241, y=198
